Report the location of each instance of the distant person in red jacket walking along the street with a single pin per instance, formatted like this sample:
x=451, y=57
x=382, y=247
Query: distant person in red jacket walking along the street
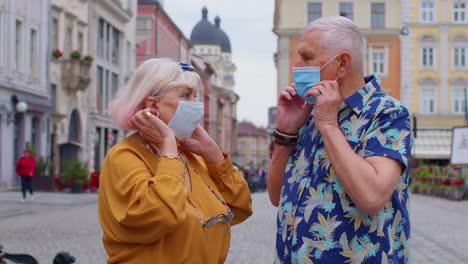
x=25, y=169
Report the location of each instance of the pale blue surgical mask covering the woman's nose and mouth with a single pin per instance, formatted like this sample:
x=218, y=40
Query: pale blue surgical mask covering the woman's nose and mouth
x=186, y=118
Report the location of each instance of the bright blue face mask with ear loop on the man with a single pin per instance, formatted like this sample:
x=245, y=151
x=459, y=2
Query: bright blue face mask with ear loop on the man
x=306, y=77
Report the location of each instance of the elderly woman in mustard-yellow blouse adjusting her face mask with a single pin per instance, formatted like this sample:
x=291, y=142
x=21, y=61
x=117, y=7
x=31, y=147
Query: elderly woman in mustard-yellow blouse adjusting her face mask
x=168, y=194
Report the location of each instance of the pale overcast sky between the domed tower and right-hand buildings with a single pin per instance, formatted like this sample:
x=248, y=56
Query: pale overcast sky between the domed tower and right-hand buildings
x=248, y=24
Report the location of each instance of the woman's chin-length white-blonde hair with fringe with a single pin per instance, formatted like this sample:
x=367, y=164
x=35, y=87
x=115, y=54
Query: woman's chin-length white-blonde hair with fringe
x=150, y=78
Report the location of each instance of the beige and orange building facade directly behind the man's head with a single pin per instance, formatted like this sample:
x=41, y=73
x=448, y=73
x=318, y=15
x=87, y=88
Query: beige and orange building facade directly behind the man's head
x=379, y=21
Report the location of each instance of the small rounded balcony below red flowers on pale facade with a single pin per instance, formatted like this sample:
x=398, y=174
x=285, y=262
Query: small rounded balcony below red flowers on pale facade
x=75, y=75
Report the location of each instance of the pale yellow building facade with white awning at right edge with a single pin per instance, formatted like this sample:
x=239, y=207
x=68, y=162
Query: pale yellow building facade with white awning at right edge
x=435, y=71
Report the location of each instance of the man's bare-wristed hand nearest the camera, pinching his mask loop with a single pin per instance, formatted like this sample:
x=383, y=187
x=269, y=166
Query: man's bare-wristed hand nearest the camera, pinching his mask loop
x=327, y=99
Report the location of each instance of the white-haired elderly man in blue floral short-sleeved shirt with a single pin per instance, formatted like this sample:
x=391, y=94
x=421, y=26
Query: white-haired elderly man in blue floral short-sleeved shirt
x=339, y=170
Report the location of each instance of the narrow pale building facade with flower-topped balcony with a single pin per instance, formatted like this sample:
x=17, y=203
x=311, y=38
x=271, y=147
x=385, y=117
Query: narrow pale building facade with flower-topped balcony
x=69, y=73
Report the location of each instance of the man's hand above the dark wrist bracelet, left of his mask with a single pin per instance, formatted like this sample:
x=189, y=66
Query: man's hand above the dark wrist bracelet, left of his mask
x=292, y=111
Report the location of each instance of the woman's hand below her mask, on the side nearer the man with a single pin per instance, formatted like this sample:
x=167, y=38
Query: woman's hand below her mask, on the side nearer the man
x=202, y=144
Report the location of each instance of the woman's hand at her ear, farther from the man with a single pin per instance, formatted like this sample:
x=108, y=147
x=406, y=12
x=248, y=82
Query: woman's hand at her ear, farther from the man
x=154, y=130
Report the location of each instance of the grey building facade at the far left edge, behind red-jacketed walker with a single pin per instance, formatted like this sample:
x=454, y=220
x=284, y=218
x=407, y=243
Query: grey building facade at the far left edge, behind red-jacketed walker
x=25, y=104
